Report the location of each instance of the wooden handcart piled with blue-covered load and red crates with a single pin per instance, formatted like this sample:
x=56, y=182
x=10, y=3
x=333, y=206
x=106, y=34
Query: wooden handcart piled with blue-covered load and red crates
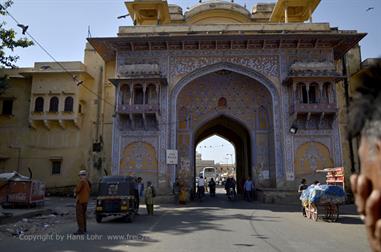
x=324, y=200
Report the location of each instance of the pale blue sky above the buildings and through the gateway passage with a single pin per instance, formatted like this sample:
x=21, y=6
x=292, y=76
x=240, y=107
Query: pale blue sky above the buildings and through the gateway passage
x=61, y=26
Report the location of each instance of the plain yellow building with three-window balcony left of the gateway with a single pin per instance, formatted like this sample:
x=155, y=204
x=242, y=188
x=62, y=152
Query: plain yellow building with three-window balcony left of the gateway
x=52, y=125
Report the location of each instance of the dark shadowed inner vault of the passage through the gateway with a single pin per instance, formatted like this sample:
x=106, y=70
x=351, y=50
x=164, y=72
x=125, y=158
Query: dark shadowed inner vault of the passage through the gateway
x=235, y=133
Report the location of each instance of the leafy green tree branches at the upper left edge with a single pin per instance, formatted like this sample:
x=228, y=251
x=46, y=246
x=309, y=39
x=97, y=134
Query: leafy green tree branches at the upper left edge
x=8, y=39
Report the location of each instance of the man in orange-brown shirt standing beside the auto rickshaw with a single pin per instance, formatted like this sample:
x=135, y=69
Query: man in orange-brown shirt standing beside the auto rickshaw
x=82, y=193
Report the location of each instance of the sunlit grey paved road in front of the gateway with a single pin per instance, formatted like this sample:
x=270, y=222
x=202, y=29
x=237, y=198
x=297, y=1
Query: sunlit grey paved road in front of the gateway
x=212, y=225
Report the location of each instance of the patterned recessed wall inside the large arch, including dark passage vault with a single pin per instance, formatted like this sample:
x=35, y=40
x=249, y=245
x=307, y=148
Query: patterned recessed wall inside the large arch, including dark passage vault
x=236, y=107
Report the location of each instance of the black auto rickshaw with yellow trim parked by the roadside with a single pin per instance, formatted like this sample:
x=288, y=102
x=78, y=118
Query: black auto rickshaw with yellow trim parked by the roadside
x=117, y=197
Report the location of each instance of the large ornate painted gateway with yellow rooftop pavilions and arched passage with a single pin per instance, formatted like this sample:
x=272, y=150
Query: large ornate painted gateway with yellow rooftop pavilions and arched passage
x=220, y=69
